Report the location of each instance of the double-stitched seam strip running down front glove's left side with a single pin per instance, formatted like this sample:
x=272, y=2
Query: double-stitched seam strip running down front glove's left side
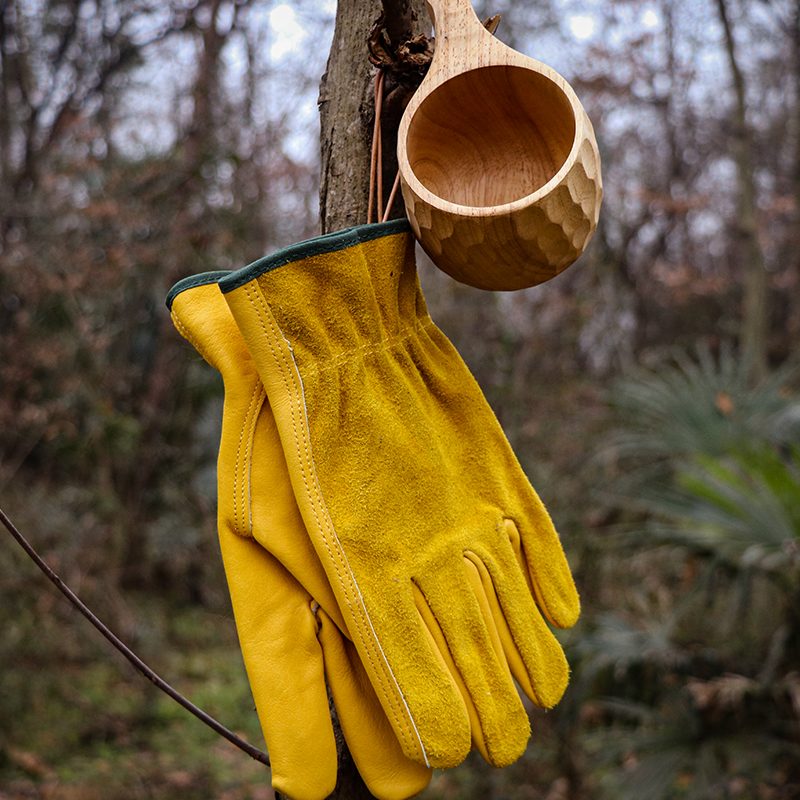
x=381, y=665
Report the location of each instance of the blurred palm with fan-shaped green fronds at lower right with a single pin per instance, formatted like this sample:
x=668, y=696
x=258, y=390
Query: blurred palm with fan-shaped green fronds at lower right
x=716, y=480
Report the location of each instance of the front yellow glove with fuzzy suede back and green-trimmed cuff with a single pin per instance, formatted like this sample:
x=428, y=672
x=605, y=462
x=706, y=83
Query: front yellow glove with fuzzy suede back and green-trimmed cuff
x=443, y=560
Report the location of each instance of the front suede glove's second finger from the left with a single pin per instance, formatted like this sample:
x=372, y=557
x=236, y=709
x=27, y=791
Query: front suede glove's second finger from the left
x=502, y=720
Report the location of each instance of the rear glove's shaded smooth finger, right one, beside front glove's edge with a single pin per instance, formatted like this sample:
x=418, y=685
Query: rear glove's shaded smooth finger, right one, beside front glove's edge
x=387, y=772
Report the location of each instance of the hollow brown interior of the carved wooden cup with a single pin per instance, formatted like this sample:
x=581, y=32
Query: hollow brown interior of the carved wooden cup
x=490, y=136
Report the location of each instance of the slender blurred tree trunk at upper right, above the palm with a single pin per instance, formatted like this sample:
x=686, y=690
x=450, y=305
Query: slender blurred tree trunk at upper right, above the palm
x=755, y=315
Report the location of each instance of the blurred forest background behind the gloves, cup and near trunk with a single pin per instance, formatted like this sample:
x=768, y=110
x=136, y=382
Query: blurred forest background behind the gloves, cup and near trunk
x=650, y=391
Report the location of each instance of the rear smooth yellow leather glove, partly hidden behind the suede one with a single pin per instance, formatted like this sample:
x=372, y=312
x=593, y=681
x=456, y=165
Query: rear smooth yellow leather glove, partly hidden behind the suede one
x=290, y=628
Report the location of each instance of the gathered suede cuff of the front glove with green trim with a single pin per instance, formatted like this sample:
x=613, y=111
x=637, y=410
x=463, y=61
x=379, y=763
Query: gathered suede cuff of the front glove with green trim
x=340, y=296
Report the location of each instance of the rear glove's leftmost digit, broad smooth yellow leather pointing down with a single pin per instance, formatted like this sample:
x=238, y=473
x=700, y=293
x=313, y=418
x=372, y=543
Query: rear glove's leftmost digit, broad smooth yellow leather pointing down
x=285, y=667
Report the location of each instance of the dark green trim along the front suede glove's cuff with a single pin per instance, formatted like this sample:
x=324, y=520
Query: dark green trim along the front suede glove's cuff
x=328, y=243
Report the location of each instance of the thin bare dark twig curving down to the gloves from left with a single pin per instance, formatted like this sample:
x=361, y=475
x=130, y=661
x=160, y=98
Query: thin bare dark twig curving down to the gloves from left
x=137, y=662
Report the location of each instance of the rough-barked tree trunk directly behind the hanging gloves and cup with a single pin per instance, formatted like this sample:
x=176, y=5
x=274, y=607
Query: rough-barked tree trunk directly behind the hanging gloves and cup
x=347, y=113
